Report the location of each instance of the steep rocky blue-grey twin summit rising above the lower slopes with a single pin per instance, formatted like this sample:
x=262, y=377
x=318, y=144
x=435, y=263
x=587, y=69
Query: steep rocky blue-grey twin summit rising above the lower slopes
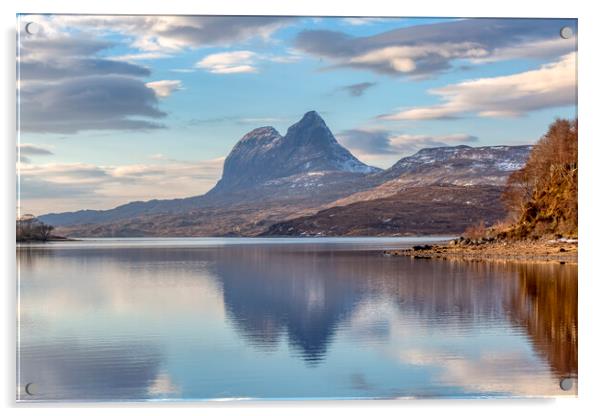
x=308, y=146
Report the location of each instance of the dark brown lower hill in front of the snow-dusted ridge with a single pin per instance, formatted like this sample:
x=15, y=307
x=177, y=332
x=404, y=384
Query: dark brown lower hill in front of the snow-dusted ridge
x=423, y=209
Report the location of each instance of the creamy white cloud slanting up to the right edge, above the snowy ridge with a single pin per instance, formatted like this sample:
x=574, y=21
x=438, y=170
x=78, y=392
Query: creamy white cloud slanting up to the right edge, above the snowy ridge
x=551, y=85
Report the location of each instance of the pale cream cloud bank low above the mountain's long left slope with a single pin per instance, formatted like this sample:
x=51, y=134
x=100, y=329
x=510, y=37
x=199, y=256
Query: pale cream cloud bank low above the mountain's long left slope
x=59, y=187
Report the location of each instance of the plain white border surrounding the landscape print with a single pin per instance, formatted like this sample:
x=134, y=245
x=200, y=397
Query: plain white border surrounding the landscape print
x=590, y=153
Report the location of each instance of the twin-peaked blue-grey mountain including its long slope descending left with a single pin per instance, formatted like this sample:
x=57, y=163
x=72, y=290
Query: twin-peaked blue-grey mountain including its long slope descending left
x=303, y=169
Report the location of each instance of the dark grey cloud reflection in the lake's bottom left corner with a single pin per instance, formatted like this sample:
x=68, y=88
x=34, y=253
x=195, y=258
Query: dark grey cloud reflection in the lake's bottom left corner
x=71, y=370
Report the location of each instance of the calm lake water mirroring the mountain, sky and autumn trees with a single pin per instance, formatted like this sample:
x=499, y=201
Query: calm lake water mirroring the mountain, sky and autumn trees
x=186, y=319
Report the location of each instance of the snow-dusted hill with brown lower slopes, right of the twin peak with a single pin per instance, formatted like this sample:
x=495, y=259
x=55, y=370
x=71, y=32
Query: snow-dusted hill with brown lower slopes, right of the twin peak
x=440, y=190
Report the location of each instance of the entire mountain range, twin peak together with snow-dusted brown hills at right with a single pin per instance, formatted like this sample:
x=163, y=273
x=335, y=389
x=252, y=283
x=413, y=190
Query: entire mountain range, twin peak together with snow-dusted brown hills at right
x=269, y=179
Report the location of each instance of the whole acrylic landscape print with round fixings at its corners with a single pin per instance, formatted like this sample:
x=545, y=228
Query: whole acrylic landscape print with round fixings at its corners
x=301, y=207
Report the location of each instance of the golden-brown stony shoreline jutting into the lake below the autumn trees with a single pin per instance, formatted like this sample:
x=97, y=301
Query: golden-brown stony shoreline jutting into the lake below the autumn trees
x=540, y=251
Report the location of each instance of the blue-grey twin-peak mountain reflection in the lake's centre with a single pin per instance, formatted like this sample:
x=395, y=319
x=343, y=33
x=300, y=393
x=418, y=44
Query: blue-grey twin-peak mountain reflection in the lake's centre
x=269, y=292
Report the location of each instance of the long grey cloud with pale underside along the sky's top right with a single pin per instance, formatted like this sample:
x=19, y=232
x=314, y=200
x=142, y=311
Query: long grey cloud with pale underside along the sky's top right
x=427, y=49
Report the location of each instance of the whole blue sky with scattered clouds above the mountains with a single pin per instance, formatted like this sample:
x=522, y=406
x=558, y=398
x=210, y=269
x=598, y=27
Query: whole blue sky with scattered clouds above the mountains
x=113, y=109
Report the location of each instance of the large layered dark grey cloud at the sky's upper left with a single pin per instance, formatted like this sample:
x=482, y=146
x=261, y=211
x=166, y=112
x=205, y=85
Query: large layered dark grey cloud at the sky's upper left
x=68, y=85
